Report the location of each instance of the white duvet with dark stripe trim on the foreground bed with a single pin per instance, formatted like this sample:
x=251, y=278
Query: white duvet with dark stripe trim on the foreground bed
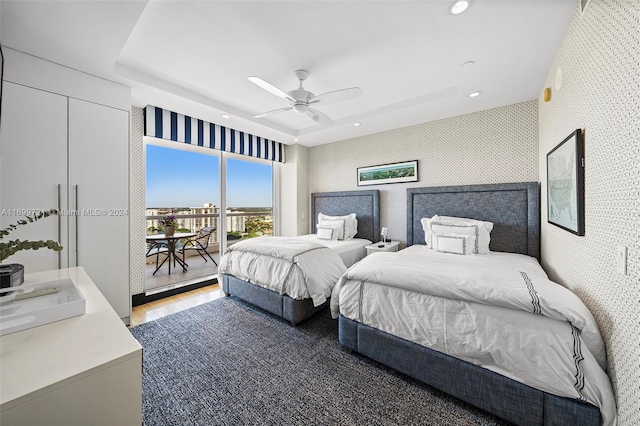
x=499, y=311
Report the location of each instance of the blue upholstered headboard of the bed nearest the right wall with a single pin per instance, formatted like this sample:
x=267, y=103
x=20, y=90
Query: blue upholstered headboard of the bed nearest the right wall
x=514, y=209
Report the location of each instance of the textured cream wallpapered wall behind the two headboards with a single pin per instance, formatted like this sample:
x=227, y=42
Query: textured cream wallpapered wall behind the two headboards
x=493, y=146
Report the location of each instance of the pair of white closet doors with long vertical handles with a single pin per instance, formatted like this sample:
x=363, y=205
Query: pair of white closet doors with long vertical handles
x=53, y=147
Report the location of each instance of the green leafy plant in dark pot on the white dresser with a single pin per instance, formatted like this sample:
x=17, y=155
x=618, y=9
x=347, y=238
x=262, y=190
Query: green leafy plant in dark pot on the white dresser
x=13, y=274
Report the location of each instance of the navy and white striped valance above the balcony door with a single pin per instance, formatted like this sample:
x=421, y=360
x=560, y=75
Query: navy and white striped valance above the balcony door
x=165, y=124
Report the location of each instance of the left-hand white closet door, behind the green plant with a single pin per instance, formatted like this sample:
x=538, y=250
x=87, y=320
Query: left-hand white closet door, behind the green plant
x=33, y=165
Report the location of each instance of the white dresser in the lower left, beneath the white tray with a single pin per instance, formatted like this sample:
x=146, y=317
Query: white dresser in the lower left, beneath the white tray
x=84, y=370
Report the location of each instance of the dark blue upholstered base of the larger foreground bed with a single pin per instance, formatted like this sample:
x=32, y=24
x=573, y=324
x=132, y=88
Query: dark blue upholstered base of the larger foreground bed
x=492, y=392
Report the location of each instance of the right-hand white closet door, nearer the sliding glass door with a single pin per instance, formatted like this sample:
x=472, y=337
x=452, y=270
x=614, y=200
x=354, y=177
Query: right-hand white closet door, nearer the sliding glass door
x=99, y=190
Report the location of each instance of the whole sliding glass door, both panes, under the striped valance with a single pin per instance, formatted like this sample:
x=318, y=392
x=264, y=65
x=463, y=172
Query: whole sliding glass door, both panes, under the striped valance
x=228, y=195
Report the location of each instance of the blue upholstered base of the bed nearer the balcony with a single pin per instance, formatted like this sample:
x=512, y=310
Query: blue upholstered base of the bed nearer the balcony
x=292, y=310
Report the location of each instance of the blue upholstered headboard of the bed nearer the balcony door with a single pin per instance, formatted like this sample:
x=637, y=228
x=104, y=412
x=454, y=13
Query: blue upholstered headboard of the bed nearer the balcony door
x=365, y=204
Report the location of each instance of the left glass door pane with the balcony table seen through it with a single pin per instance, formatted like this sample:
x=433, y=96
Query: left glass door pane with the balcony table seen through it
x=183, y=182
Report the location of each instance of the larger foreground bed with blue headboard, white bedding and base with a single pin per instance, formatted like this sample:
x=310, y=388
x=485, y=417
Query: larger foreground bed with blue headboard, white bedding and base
x=485, y=325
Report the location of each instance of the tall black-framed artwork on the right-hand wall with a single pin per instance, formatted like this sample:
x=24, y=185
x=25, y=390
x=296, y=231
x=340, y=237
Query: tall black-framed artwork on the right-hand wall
x=565, y=184
